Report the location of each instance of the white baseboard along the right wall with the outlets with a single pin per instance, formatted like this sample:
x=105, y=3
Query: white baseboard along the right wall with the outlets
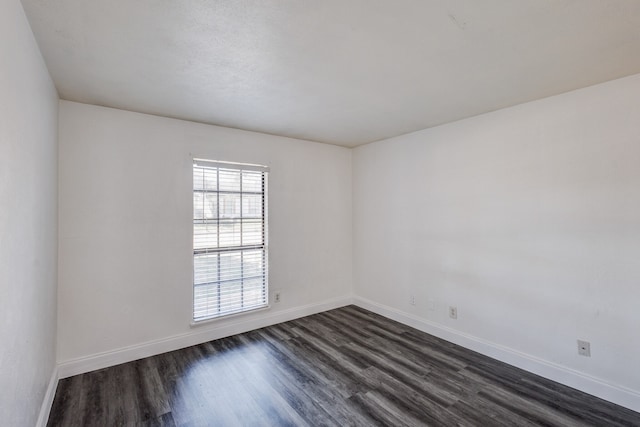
x=611, y=392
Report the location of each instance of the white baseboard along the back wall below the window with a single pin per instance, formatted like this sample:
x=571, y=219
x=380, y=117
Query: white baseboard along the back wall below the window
x=197, y=336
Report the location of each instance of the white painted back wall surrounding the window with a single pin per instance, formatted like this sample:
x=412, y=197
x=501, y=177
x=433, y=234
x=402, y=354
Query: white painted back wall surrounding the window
x=125, y=224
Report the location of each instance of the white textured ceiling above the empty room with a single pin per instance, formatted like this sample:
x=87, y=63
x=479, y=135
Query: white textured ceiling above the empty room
x=345, y=72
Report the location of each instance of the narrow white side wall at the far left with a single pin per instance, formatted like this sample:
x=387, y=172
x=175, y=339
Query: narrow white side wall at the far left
x=28, y=221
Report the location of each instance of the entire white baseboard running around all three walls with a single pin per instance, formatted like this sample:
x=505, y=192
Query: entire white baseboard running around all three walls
x=617, y=394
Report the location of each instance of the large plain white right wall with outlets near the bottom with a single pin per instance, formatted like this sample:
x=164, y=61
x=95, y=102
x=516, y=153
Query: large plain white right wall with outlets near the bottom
x=527, y=219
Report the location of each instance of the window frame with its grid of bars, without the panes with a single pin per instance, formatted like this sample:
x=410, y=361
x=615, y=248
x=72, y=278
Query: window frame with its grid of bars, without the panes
x=264, y=246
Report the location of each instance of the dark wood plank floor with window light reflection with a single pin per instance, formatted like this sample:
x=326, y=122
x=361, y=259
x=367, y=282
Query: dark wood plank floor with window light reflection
x=339, y=368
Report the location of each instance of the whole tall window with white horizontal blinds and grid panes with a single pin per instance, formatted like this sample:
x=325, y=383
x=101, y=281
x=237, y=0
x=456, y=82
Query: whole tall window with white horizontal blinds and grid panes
x=229, y=238
